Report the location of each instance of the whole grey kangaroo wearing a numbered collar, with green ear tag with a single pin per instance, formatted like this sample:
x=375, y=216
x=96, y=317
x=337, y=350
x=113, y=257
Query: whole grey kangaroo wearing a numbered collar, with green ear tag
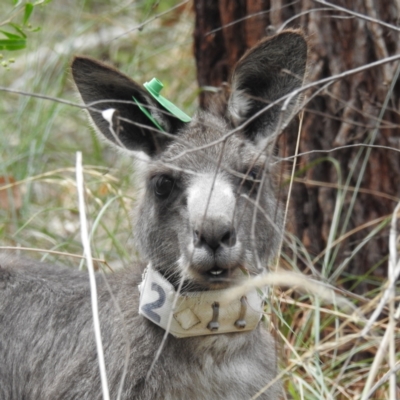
x=207, y=218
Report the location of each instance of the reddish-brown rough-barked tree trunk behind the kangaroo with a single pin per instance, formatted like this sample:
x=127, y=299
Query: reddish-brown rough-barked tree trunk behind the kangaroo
x=345, y=113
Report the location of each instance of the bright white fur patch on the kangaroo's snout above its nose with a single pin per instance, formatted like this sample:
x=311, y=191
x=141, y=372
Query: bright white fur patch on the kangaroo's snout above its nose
x=219, y=207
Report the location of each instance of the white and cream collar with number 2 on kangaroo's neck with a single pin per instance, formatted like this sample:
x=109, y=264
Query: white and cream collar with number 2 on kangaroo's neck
x=196, y=313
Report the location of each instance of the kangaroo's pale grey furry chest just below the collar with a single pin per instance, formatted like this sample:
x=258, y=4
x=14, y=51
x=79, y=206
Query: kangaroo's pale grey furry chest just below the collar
x=226, y=367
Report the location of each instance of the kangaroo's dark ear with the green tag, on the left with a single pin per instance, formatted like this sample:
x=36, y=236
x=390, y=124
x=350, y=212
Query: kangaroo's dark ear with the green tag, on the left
x=108, y=88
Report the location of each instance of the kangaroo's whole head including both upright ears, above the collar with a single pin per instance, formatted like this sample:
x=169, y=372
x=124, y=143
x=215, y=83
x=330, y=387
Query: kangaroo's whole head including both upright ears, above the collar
x=208, y=208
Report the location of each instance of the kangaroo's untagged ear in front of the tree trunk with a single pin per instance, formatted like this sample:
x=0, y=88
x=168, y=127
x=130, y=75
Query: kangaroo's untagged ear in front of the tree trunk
x=267, y=72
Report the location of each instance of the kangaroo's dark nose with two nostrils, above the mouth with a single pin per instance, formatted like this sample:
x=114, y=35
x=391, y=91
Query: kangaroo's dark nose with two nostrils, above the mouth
x=214, y=238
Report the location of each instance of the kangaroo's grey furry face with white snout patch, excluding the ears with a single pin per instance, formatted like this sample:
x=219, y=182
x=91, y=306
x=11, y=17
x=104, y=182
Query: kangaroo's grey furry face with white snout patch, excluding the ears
x=204, y=224
